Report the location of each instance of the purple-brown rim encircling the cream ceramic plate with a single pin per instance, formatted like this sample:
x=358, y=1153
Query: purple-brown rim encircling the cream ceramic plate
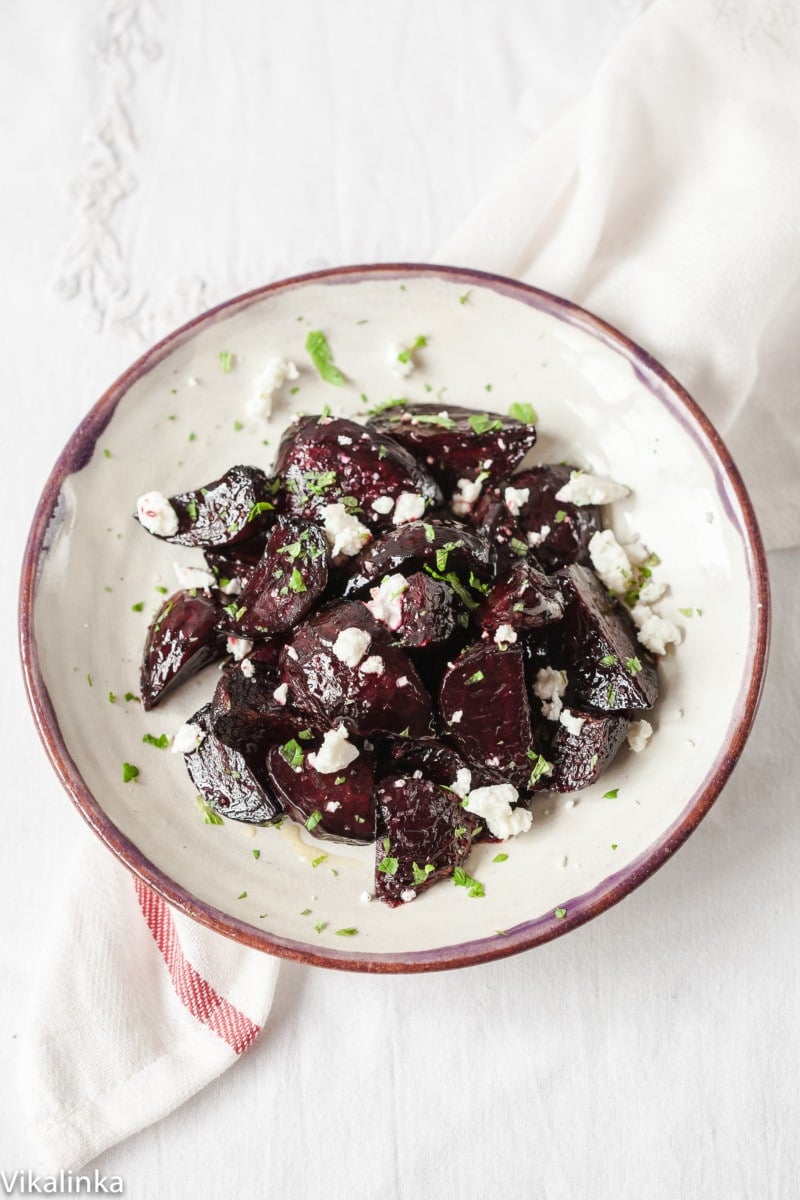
x=530, y=934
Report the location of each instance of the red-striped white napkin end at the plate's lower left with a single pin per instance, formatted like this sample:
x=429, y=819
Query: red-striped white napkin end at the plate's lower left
x=137, y=1010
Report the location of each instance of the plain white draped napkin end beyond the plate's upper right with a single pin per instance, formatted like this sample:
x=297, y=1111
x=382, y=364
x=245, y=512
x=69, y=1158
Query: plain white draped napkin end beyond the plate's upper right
x=669, y=203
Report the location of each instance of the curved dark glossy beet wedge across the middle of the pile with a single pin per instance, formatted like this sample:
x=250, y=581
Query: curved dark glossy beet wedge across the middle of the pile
x=442, y=547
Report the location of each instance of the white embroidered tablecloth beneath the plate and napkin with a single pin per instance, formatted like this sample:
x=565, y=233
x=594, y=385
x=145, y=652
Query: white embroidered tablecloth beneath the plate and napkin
x=157, y=160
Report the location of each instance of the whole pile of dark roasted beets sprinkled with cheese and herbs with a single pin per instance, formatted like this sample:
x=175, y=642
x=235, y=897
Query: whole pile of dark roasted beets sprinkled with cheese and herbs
x=448, y=620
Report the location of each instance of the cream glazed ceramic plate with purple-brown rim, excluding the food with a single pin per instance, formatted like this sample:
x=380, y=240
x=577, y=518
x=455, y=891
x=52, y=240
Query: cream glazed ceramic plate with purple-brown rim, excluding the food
x=603, y=403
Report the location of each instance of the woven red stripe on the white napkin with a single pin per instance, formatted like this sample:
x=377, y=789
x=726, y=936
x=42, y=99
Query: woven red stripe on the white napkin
x=196, y=993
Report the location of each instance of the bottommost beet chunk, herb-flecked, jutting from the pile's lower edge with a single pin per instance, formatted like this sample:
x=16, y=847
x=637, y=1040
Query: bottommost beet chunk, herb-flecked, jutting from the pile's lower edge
x=423, y=826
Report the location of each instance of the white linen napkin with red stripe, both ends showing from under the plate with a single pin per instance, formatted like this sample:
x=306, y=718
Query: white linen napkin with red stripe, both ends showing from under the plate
x=670, y=205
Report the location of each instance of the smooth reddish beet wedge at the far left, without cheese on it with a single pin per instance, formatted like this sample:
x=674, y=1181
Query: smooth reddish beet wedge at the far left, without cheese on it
x=183, y=639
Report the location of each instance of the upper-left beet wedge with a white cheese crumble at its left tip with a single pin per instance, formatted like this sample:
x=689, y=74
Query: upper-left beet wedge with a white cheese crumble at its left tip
x=227, y=512
